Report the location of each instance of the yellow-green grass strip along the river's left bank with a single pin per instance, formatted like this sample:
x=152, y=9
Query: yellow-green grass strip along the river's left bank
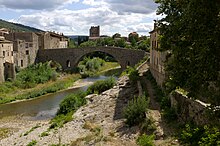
x=39, y=90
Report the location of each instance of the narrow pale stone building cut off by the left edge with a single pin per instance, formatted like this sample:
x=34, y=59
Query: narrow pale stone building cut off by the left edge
x=7, y=69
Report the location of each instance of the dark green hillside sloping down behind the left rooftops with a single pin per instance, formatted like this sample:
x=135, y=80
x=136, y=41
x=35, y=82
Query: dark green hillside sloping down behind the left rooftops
x=17, y=27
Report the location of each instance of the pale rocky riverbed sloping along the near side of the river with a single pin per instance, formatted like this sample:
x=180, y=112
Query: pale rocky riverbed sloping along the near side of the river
x=99, y=122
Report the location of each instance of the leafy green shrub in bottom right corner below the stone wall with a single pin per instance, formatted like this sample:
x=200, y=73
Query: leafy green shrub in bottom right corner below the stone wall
x=202, y=136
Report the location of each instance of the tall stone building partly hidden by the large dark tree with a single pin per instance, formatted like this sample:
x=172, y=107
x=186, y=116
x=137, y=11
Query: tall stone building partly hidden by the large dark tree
x=157, y=58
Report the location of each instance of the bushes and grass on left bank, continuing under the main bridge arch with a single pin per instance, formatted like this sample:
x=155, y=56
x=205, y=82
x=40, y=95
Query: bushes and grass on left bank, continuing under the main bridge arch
x=40, y=79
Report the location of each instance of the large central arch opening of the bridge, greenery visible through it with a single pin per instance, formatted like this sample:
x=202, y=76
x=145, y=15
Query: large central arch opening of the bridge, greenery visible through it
x=96, y=62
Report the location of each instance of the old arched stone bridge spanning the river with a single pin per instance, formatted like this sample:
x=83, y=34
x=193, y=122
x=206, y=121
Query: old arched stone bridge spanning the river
x=70, y=57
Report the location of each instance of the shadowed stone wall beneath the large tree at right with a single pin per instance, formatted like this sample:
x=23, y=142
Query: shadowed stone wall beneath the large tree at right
x=190, y=110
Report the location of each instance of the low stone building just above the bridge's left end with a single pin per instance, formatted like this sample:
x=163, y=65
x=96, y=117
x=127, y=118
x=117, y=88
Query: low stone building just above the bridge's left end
x=52, y=40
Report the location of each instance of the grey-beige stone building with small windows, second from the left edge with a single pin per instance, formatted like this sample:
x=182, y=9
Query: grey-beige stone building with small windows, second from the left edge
x=25, y=46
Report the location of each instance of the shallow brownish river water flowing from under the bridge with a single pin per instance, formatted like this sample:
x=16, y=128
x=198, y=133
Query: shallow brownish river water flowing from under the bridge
x=42, y=108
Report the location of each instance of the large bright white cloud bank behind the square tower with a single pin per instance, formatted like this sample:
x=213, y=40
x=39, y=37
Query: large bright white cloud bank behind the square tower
x=78, y=22
